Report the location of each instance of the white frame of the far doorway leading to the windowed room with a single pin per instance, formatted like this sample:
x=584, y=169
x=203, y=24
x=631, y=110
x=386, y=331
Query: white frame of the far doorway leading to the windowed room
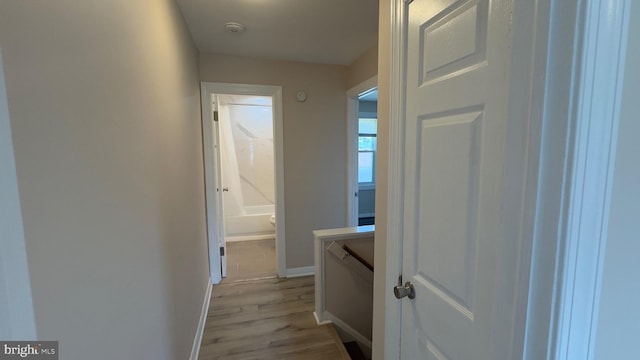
x=352, y=146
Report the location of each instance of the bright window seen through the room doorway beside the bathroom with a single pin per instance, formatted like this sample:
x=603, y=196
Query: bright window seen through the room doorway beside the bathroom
x=367, y=146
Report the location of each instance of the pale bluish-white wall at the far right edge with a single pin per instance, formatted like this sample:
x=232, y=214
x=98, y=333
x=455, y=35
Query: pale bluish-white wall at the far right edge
x=619, y=318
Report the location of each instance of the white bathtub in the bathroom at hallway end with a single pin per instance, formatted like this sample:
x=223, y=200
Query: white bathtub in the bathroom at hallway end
x=255, y=223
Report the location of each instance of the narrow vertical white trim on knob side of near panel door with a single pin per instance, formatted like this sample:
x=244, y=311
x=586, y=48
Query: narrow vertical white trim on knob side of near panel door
x=395, y=179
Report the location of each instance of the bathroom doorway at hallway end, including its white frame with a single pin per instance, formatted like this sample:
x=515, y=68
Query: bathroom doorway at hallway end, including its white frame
x=242, y=128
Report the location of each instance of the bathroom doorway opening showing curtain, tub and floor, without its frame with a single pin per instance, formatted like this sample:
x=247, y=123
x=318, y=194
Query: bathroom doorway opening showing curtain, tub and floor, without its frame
x=248, y=198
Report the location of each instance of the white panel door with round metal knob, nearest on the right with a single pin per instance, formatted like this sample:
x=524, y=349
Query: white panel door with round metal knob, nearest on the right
x=457, y=63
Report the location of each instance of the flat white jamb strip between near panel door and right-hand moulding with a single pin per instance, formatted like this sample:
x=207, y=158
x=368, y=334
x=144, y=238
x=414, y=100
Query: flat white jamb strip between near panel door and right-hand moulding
x=526, y=99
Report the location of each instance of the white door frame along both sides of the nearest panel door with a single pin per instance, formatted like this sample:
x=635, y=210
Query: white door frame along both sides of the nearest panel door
x=561, y=246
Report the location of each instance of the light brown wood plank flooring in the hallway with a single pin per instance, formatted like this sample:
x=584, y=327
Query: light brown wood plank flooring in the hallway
x=267, y=319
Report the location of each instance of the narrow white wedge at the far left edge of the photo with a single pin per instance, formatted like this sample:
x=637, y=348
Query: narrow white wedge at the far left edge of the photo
x=16, y=306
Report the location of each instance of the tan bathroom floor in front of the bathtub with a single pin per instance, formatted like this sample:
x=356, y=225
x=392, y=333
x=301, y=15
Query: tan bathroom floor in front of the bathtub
x=252, y=259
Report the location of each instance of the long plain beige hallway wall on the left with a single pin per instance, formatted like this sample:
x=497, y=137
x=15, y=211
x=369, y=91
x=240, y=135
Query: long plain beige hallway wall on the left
x=104, y=105
